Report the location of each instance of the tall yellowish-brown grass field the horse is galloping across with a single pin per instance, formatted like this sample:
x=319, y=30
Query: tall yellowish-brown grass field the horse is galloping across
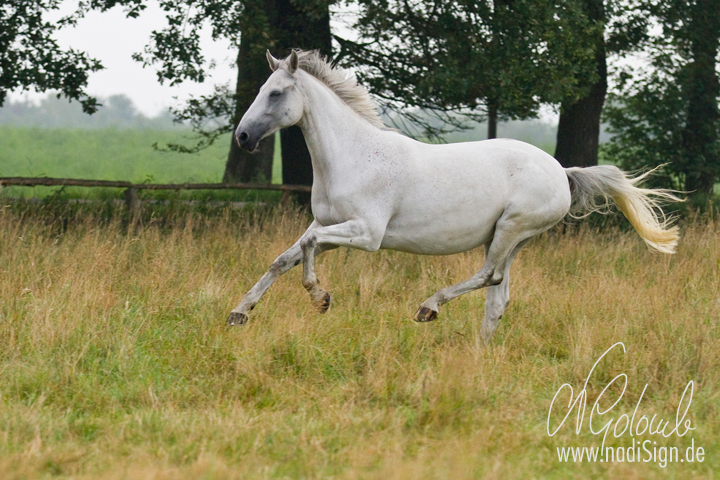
x=116, y=362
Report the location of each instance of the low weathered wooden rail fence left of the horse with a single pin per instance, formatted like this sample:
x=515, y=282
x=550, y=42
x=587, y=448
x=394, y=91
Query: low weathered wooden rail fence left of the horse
x=131, y=198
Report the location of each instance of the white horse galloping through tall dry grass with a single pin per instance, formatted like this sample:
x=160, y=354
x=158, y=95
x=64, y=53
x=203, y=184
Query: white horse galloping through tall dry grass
x=375, y=188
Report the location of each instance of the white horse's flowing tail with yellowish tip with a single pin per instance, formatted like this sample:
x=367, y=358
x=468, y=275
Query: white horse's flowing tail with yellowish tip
x=592, y=188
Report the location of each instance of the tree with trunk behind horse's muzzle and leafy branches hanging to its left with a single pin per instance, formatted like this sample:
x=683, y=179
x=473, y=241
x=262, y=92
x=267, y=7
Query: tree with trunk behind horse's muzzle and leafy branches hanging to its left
x=176, y=52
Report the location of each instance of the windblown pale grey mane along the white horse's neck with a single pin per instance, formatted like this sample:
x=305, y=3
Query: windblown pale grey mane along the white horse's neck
x=343, y=84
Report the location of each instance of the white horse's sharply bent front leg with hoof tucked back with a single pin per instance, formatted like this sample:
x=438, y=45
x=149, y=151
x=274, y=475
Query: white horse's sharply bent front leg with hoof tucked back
x=354, y=233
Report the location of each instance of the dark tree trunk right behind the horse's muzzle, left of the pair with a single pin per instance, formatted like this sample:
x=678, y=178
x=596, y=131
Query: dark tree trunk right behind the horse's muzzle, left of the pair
x=253, y=71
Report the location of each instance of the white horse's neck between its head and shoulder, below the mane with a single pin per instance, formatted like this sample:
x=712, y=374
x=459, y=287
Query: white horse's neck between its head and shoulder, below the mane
x=334, y=133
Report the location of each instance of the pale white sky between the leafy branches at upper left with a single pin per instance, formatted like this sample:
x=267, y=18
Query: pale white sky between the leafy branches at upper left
x=112, y=39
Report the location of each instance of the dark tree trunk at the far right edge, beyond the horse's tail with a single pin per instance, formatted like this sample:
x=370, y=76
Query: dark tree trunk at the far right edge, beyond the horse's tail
x=700, y=136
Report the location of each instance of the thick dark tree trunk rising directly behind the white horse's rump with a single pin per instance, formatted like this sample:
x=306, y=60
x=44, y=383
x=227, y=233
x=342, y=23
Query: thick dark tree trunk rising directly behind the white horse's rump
x=579, y=127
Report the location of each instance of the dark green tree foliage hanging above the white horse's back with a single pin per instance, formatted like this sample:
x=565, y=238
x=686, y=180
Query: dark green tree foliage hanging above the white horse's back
x=496, y=60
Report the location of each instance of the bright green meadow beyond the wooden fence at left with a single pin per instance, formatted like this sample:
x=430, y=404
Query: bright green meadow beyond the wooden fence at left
x=110, y=154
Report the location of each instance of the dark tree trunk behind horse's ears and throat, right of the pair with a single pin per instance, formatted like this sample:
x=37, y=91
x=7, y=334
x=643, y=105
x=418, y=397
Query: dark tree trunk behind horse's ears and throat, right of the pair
x=306, y=28
